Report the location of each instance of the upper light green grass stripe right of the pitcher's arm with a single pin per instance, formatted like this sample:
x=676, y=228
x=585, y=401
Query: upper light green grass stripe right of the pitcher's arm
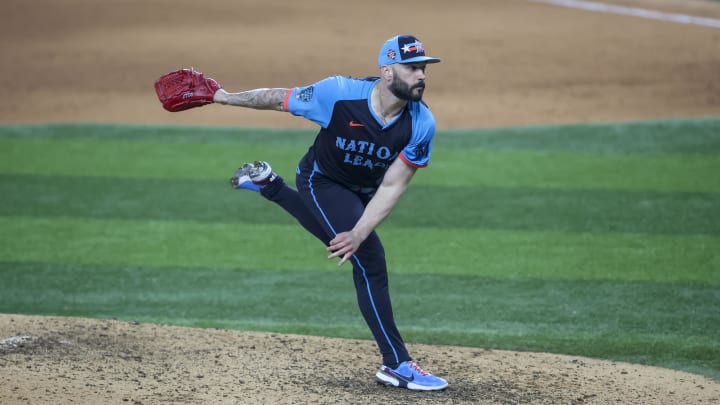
x=557, y=170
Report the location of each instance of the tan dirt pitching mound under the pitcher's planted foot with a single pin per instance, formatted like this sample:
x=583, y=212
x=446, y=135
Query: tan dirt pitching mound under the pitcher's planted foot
x=88, y=361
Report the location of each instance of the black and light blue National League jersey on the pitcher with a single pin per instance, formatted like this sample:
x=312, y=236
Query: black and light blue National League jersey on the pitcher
x=353, y=146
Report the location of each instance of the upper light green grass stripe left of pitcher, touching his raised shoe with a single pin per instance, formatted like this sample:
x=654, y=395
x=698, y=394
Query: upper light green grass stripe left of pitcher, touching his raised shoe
x=138, y=159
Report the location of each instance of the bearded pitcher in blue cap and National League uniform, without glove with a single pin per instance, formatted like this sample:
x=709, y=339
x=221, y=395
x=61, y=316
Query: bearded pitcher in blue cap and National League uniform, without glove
x=374, y=134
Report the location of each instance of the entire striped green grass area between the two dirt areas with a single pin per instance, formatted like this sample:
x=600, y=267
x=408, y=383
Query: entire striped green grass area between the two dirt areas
x=596, y=240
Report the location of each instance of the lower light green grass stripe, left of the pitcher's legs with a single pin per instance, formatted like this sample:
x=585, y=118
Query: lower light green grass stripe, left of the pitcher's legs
x=159, y=243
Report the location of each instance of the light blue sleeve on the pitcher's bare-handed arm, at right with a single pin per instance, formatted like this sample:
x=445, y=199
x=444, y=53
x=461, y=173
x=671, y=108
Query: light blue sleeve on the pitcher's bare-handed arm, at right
x=418, y=150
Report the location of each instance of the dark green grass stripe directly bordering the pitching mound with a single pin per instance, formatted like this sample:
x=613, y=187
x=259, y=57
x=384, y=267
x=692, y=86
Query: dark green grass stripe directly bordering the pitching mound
x=647, y=322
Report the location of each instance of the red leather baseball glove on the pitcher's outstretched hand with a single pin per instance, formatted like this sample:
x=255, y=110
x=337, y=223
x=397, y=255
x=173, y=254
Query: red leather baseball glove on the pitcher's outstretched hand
x=184, y=89
